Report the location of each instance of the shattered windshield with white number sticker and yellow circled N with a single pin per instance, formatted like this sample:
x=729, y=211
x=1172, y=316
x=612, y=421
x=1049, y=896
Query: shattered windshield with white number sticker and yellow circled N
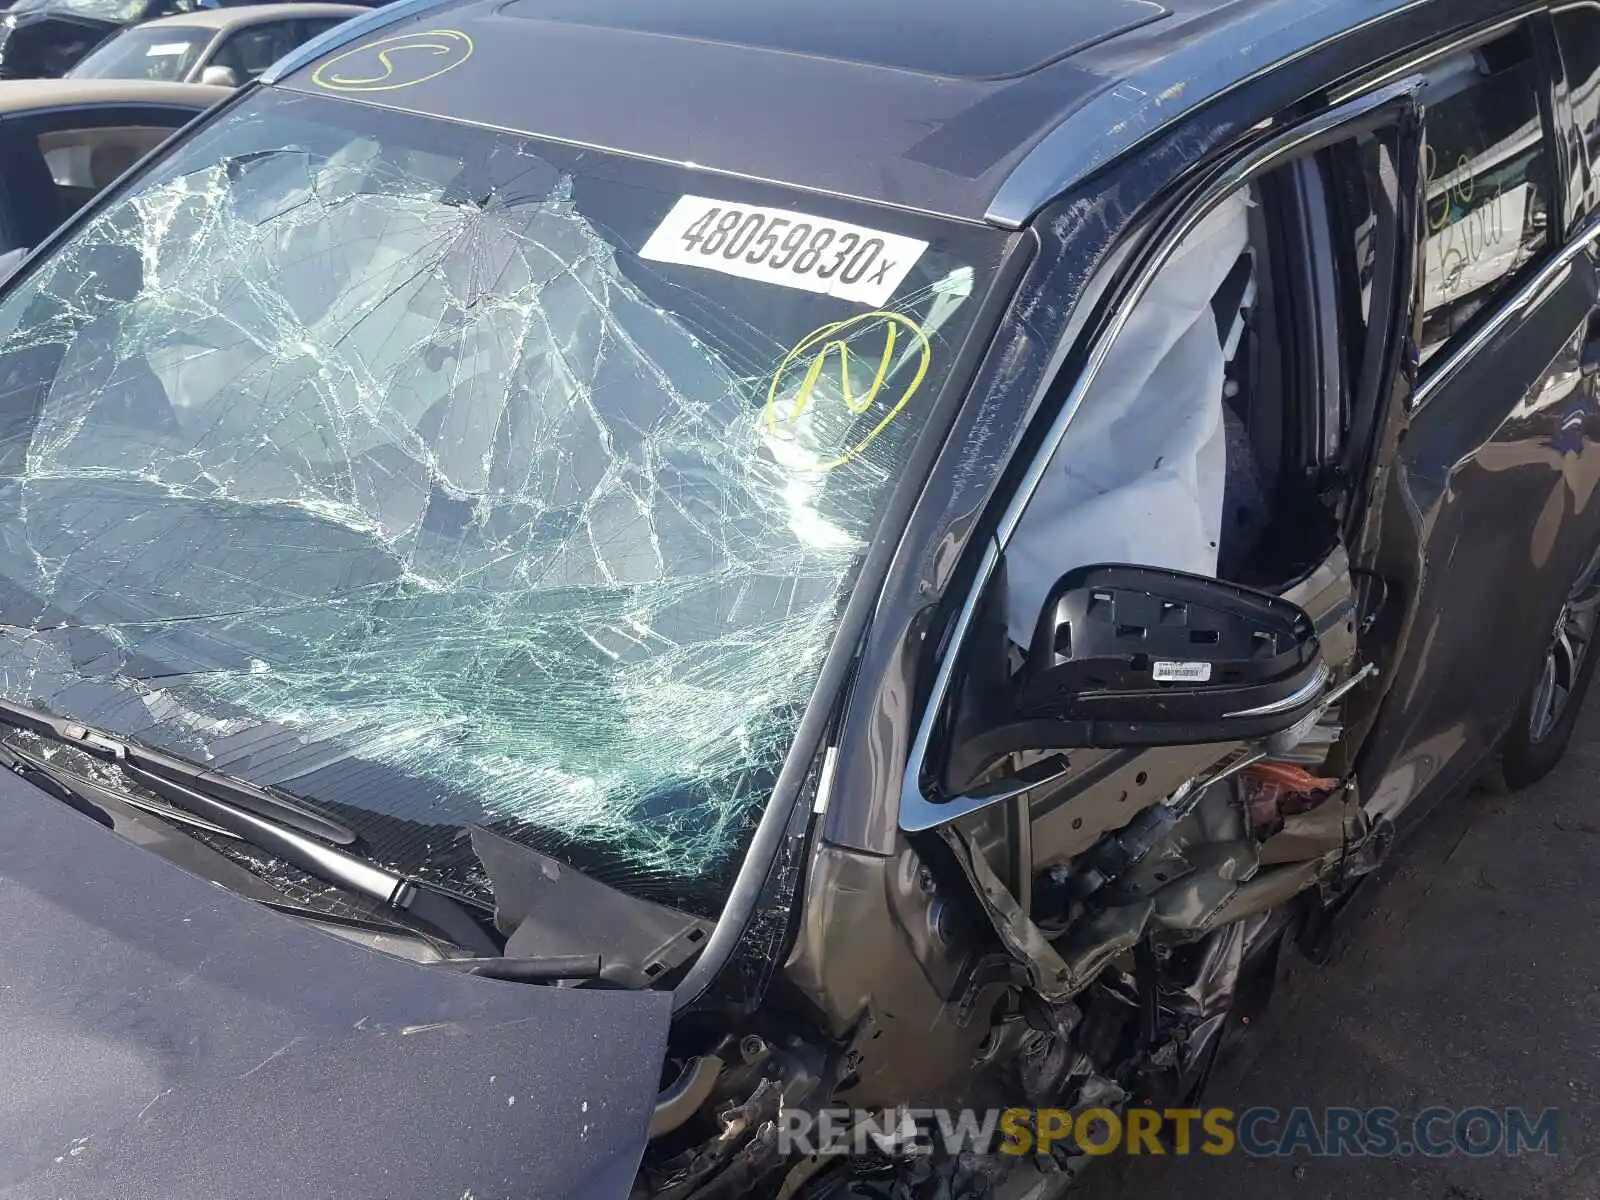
x=446, y=478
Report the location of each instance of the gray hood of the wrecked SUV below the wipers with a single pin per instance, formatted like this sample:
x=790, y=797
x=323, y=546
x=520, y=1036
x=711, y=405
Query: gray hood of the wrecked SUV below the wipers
x=169, y=1039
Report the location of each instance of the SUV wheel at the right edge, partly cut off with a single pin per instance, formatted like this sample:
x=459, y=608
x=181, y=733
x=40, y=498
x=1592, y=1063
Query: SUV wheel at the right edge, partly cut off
x=1546, y=718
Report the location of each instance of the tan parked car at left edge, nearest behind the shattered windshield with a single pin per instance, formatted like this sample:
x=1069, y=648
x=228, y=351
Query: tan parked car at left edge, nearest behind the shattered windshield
x=62, y=142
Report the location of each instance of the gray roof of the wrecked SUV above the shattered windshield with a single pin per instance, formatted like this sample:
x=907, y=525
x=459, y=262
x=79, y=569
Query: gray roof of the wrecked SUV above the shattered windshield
x=977, y=111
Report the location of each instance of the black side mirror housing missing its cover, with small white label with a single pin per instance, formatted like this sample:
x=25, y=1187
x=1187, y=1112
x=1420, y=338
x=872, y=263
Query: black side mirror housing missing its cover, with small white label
x=1145, y=657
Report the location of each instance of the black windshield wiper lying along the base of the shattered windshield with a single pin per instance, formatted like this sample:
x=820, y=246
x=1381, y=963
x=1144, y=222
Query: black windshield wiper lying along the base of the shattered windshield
x=434, y=910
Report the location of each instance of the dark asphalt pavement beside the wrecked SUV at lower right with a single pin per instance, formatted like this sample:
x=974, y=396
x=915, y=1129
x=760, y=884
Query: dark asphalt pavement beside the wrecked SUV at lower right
x=1473, y=982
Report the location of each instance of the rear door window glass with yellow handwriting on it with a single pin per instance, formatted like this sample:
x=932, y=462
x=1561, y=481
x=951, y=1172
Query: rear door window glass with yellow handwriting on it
x=1487, y=174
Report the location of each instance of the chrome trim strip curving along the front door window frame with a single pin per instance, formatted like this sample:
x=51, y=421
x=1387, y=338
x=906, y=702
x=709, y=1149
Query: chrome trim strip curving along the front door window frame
x=916, y=810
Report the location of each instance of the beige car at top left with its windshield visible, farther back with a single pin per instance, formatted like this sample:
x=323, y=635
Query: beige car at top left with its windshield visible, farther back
x=217, y=46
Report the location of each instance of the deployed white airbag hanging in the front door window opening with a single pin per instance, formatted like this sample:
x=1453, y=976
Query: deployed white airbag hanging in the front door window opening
x=1140, y=474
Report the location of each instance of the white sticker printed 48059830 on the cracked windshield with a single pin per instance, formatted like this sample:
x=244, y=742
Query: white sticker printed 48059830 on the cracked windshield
x=793, y=250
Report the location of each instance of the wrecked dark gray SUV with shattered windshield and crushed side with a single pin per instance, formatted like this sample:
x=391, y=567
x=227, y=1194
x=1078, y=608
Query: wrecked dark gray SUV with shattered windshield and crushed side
x=583, y=582
